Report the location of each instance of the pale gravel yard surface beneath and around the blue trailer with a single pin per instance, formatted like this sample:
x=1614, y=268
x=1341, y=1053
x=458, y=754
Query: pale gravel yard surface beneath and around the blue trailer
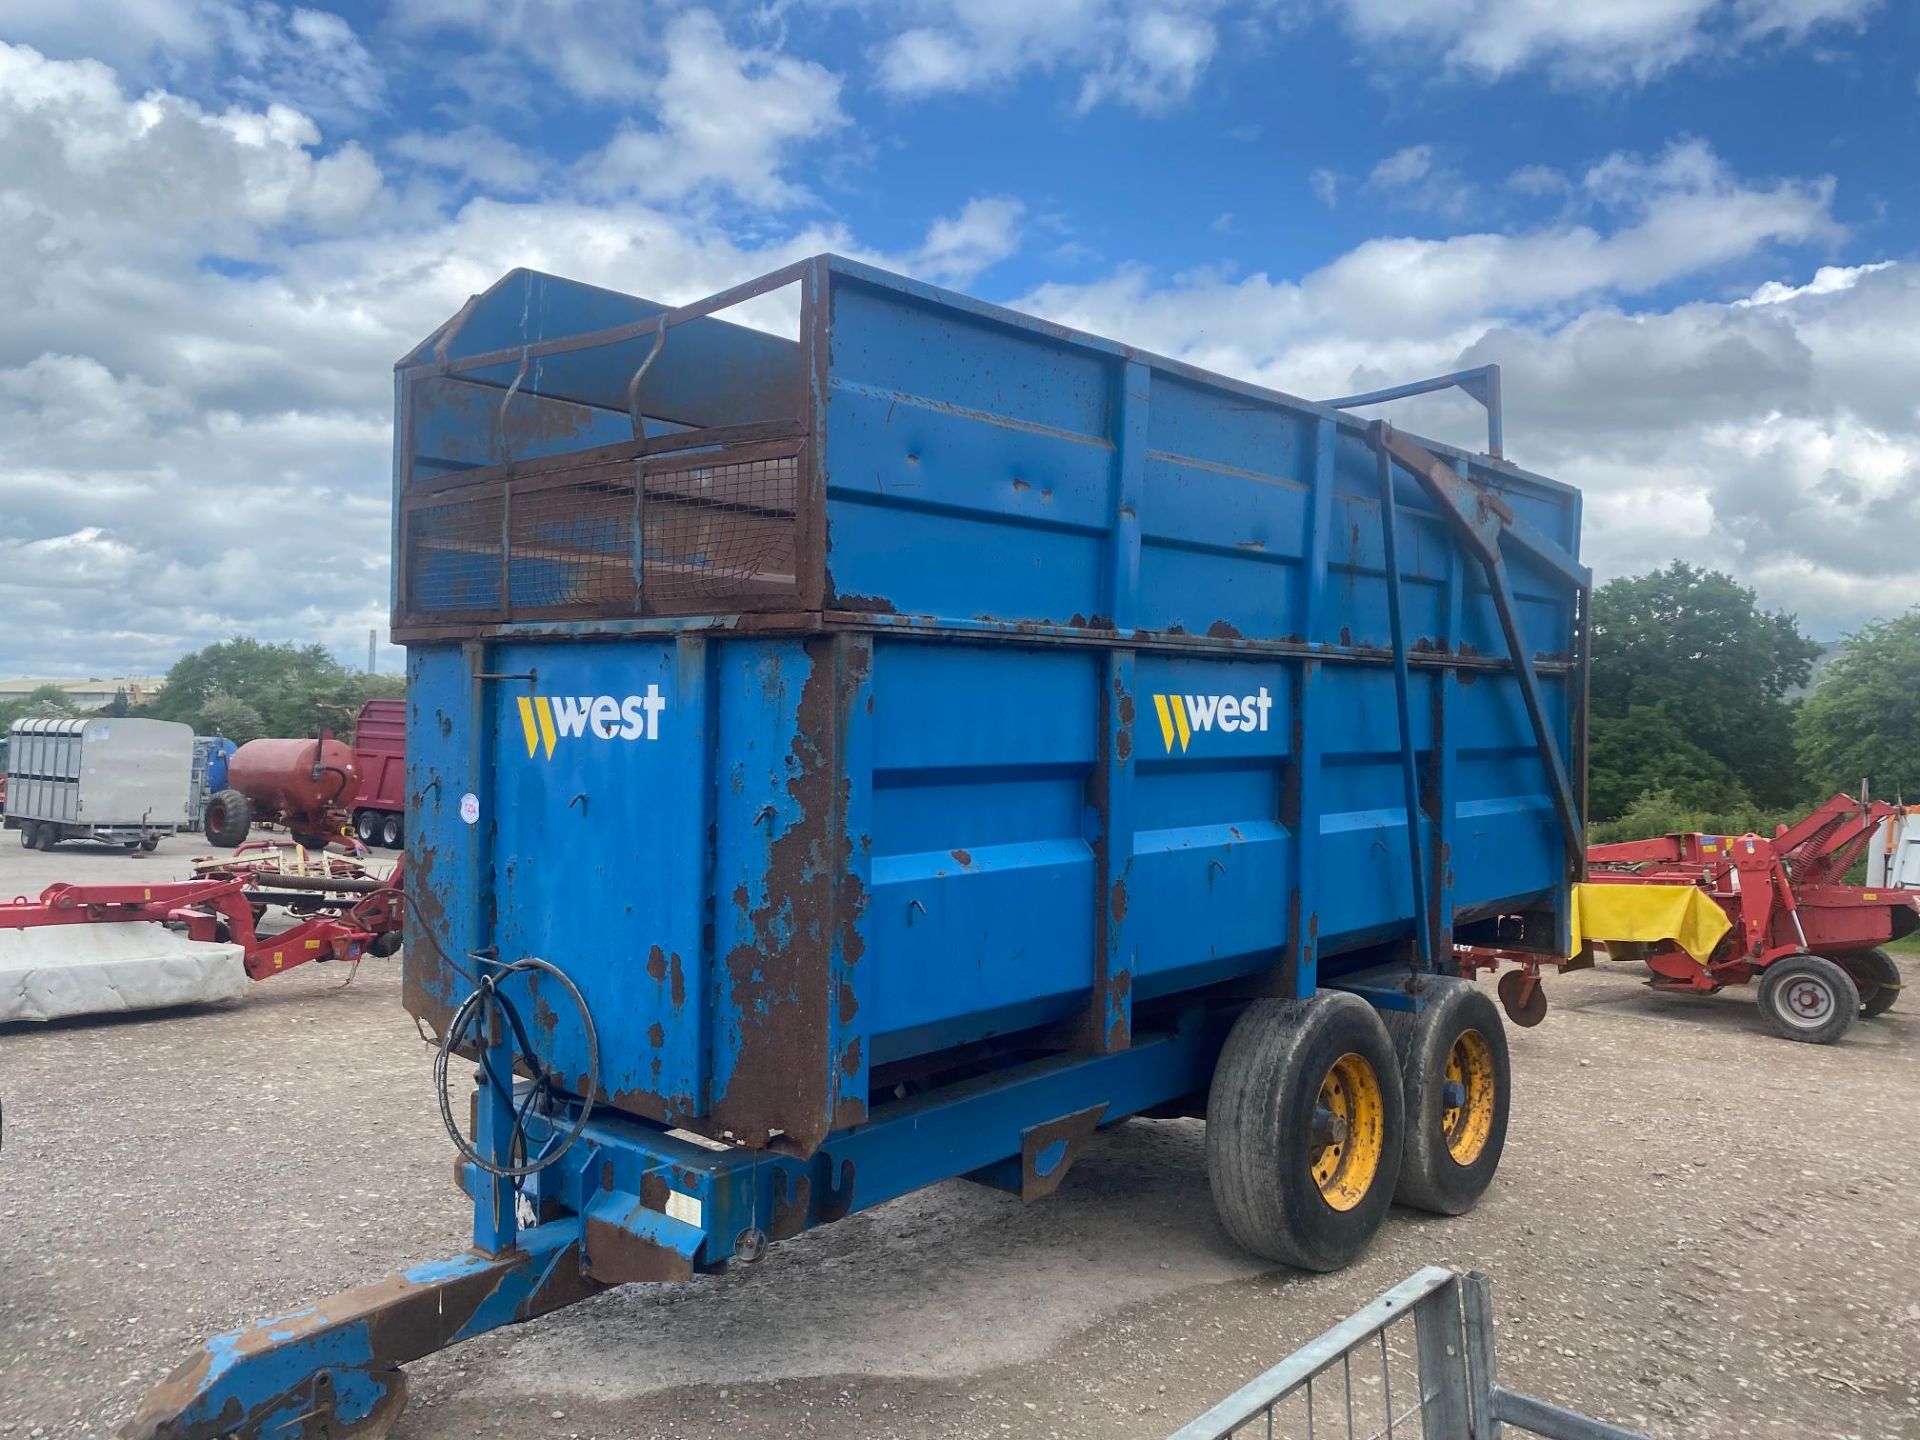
x=1698, y=1232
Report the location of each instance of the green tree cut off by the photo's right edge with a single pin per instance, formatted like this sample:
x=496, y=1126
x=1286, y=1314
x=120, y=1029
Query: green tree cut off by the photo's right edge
x=1863, y=723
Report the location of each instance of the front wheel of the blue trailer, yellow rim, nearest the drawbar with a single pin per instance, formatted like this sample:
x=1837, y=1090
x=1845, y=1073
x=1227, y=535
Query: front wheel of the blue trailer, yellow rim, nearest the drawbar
x=1305, y=1130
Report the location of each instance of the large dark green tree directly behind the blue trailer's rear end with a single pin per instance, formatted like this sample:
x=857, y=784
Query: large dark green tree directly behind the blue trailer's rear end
x=1694, y=648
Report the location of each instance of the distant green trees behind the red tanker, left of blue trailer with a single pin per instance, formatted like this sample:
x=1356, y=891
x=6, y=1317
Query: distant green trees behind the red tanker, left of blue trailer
x=287, y=690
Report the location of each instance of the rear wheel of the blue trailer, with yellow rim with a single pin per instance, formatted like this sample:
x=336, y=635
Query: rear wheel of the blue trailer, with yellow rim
x=1458, y=1086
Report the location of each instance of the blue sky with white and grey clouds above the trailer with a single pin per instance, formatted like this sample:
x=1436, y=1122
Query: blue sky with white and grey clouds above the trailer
x=1687, y=228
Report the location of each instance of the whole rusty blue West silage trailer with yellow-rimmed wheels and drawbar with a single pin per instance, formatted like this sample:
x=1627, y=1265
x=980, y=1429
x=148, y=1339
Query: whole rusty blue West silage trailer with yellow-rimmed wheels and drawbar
x=888, y=754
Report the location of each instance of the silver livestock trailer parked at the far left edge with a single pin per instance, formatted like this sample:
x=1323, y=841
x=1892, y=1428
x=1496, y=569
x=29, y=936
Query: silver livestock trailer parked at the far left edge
x=105, y=779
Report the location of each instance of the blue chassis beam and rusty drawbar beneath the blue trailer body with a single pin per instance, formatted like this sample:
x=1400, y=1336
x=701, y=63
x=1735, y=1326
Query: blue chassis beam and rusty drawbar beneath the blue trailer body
x=635, y=1203
